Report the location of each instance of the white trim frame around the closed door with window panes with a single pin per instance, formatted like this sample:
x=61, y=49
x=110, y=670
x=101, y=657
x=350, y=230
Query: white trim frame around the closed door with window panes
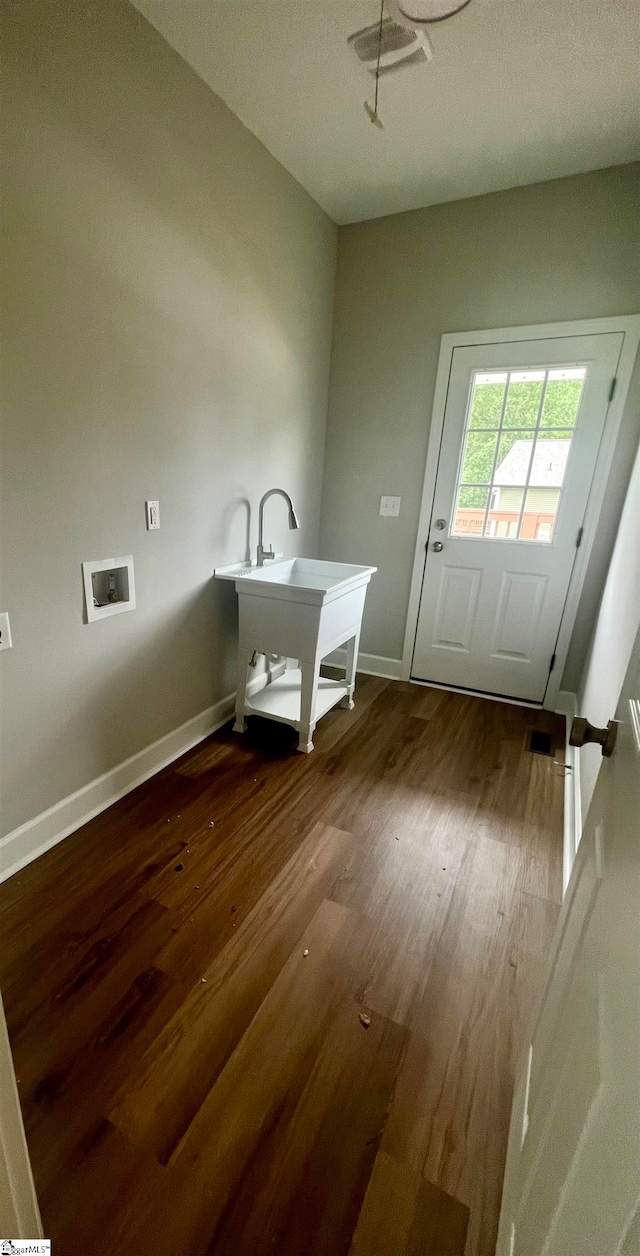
x=628, y=325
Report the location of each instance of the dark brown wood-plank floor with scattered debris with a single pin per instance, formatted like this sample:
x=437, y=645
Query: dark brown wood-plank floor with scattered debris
x=272, y=1004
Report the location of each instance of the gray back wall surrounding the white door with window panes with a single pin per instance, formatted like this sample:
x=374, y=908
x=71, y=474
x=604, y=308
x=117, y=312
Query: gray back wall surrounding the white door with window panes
x=567, y=249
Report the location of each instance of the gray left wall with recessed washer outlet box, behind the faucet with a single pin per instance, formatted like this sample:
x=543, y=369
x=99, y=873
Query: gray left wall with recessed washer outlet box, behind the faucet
x=168, y=301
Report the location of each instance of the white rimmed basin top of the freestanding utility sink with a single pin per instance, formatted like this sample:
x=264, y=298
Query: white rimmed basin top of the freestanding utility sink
x=299, y=580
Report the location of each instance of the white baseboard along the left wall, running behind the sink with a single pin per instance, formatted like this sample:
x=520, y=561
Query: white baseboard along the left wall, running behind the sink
x=32, y=840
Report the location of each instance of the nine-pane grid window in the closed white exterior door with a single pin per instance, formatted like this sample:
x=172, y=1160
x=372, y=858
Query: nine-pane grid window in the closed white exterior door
x=520, y=426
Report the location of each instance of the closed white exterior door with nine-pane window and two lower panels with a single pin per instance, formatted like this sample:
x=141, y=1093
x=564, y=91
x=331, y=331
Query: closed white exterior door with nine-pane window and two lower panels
x=523, y=429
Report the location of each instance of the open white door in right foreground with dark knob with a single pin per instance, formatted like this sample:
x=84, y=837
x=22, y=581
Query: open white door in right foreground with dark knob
x=573, y=1180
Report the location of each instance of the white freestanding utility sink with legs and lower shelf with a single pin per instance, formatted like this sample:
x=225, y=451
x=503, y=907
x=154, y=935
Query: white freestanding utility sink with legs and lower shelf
x=301, y=610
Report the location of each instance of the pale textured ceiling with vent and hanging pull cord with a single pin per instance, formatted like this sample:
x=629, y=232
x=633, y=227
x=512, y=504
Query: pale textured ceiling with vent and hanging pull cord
x=519, y=91
